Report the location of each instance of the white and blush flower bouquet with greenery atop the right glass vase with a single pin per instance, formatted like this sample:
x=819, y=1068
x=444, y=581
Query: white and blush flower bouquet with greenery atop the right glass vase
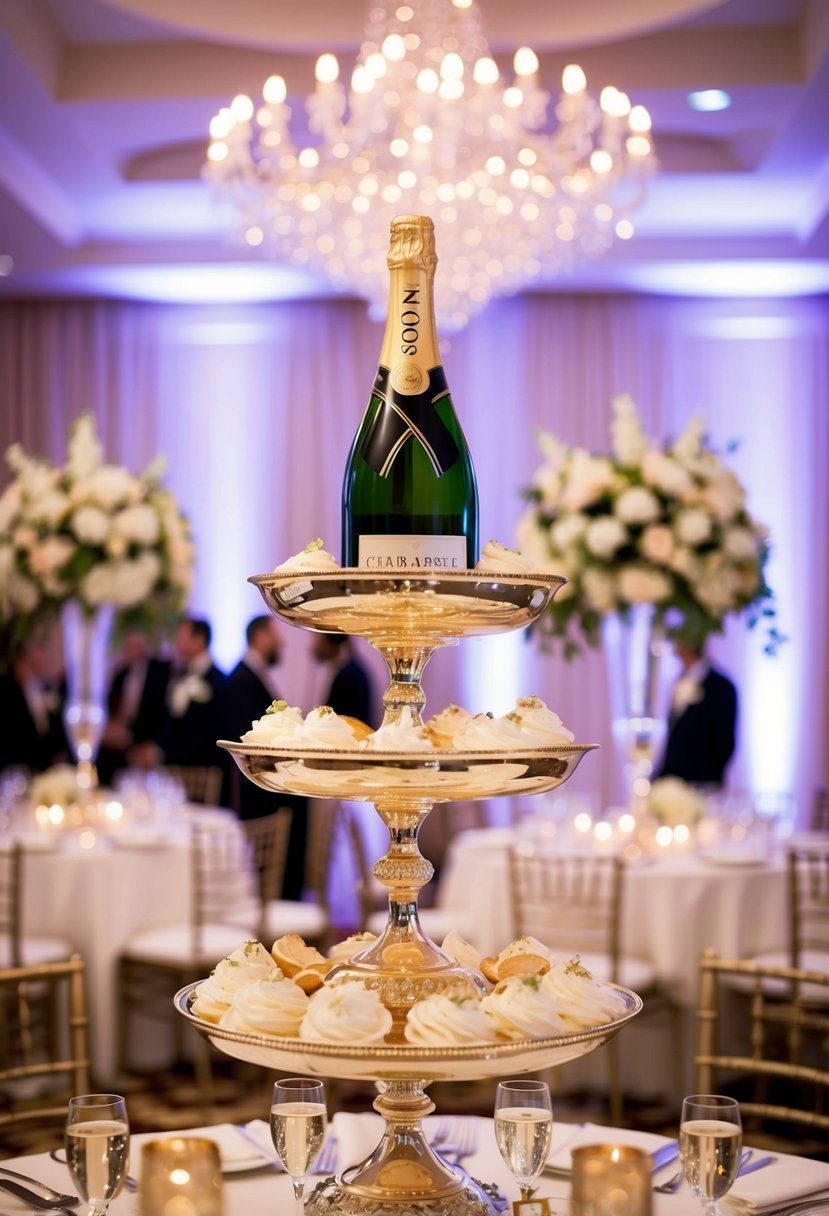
x=648, y=523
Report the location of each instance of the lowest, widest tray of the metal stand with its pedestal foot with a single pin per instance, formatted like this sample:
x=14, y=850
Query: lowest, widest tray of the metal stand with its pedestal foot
x=403, y=1176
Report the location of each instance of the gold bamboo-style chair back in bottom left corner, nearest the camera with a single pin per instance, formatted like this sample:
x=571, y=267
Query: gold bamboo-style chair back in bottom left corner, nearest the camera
x=44, y=1042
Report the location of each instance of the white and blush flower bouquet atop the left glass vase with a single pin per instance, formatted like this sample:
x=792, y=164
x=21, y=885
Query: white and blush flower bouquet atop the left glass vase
x=93, y=532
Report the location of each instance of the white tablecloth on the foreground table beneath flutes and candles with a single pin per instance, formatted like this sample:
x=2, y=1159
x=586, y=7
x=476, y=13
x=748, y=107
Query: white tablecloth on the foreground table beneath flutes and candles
x=267, y=1192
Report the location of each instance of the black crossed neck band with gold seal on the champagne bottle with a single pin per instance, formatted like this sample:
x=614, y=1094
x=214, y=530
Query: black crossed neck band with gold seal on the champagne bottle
x=408, y=415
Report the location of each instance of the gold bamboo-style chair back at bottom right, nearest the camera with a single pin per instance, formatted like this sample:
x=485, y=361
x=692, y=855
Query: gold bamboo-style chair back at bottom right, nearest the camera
x=779, y=1056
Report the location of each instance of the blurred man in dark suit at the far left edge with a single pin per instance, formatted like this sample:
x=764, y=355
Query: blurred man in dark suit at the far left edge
x=31, y=707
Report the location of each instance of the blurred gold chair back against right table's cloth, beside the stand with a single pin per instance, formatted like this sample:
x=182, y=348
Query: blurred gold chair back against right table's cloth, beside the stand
x=568, y=903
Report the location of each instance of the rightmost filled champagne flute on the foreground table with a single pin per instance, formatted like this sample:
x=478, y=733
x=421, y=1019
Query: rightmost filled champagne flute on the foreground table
x=710, y=1146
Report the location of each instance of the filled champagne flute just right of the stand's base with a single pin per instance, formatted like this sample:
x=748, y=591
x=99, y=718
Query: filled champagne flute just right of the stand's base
x=525, y=1129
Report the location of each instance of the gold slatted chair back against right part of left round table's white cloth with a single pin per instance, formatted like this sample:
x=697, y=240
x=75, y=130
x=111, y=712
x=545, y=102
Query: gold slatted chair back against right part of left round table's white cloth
x=223, y=880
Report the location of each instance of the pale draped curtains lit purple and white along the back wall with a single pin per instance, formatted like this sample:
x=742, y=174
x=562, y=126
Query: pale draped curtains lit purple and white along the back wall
x=256, y=409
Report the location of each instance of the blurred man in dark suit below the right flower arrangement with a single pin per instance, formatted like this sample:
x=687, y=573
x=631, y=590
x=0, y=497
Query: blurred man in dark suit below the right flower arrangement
x=702, y=727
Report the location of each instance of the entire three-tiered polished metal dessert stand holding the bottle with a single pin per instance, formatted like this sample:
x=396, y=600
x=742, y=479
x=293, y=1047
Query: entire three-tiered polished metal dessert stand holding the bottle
x=407, y=620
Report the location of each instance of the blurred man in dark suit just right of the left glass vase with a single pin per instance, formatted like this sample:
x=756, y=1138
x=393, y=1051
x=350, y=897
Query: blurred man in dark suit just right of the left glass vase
x=136, y=705
